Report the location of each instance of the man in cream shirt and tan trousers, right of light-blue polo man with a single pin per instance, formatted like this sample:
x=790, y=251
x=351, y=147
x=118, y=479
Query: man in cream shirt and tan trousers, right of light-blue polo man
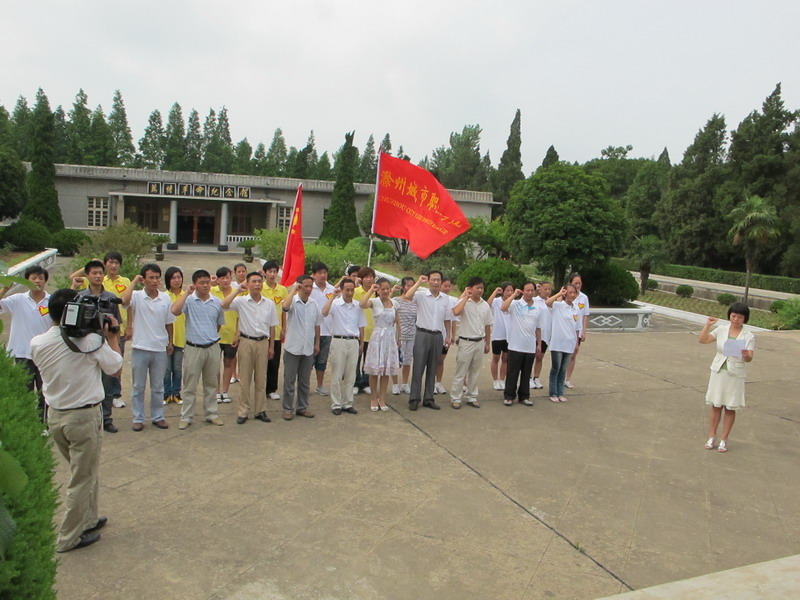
x=258, y=319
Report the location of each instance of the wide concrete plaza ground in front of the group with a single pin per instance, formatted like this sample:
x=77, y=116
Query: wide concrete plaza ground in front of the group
x=609, y=492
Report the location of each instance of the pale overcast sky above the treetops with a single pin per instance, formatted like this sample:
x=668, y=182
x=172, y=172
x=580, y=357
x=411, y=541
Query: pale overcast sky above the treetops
x=585, y=74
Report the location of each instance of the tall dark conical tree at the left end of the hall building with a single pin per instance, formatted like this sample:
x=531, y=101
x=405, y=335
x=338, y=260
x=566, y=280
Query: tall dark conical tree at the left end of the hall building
x=42, y=205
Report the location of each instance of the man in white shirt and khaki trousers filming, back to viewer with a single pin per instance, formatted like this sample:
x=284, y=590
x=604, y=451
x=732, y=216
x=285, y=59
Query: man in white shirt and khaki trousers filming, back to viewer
x=72, y=388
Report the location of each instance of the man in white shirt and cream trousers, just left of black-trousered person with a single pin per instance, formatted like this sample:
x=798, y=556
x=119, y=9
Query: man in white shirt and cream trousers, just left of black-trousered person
x=474, y=340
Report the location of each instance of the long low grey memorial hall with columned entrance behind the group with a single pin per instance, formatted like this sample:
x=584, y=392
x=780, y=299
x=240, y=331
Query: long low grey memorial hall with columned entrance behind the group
x=208, y=209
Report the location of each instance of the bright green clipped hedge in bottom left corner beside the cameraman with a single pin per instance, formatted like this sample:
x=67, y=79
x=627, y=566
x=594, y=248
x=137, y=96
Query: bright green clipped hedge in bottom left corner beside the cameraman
x=29, y=568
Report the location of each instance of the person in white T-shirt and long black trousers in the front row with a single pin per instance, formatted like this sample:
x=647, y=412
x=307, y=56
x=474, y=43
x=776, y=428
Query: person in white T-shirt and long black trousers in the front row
x=524, y=342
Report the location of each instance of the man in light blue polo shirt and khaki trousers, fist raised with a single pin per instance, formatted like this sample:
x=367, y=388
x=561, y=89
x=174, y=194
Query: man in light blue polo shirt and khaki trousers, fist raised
x=204, y=317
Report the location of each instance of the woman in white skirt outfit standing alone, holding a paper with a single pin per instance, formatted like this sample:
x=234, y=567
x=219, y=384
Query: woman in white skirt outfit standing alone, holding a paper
x=726, y=384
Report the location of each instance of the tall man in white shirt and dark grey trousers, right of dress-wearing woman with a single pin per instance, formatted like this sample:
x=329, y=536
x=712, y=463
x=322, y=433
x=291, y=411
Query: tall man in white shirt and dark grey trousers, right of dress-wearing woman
x=433, y=308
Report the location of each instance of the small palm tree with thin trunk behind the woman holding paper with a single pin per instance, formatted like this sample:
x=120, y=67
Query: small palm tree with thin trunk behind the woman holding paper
x=754, y=224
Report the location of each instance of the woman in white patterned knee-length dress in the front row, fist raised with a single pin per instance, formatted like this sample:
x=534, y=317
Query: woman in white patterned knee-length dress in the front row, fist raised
x=382, y=359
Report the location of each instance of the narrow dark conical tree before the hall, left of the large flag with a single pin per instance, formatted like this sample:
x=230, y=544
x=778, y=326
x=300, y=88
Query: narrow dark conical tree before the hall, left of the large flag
x=341, y=224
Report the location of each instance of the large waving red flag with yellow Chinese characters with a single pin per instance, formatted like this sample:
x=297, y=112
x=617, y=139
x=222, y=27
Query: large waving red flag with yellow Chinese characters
x=412, y=205
